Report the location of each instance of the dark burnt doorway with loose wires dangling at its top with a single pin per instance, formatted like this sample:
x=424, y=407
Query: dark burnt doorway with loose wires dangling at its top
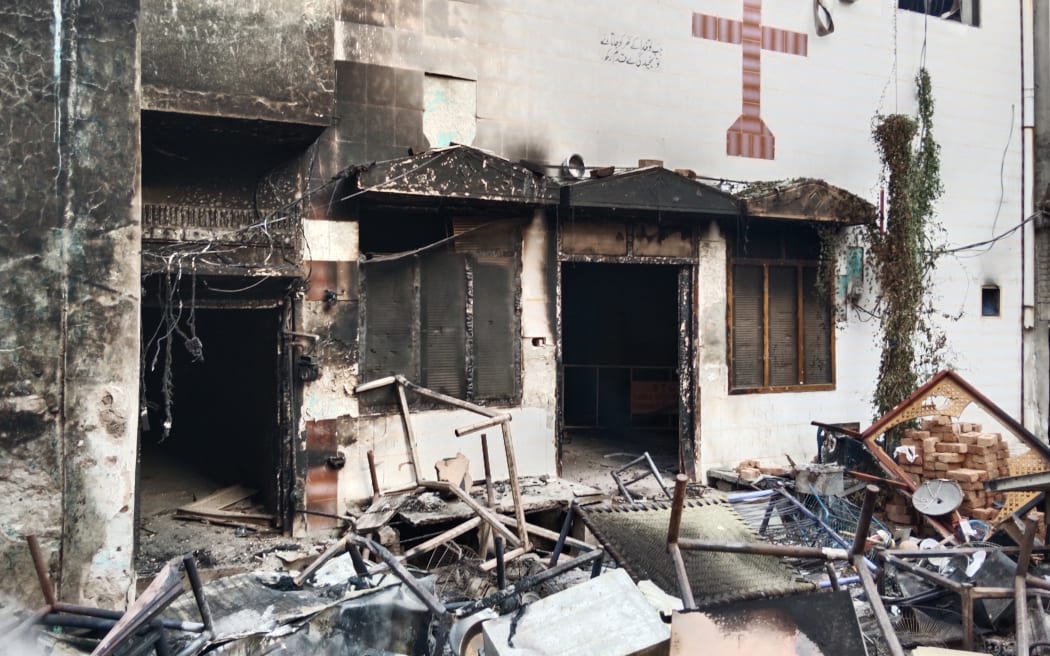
x=215, y=388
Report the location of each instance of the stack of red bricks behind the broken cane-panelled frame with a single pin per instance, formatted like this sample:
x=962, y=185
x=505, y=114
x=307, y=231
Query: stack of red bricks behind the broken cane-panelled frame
x=958, y=452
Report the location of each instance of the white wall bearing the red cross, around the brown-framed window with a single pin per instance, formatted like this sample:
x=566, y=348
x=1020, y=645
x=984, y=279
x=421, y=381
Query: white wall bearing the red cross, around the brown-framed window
x=545, y=91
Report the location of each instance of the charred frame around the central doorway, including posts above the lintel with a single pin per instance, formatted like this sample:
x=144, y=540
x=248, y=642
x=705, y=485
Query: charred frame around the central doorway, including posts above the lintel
x=687, y=319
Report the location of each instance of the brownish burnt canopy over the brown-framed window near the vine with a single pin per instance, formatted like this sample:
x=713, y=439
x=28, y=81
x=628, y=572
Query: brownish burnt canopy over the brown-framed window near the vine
x=807, y=200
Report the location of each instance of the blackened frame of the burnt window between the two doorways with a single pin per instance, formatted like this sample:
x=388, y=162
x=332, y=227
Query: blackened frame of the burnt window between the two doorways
x=474, y=255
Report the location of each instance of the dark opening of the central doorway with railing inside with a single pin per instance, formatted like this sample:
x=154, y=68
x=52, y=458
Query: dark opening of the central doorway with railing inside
x=620, y=358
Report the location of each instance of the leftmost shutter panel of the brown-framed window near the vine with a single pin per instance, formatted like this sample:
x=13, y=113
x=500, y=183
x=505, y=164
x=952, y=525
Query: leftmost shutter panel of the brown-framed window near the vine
x=748, y=307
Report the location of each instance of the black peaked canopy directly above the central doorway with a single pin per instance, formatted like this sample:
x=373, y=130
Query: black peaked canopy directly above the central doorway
x=649, y=189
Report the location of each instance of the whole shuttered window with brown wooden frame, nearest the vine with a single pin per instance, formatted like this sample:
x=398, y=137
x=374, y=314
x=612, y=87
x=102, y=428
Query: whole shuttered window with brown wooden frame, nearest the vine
x=781, y=320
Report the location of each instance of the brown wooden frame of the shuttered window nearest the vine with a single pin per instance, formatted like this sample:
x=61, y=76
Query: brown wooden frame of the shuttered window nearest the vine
x=796, y=247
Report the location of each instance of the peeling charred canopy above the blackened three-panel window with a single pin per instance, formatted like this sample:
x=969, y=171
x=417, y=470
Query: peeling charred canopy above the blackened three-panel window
x=456, y=173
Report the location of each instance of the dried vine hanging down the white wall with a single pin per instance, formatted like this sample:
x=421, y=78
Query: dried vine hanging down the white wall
x=901, y=256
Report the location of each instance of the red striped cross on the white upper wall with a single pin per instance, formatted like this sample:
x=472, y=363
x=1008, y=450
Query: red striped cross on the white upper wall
x=749, y=137
